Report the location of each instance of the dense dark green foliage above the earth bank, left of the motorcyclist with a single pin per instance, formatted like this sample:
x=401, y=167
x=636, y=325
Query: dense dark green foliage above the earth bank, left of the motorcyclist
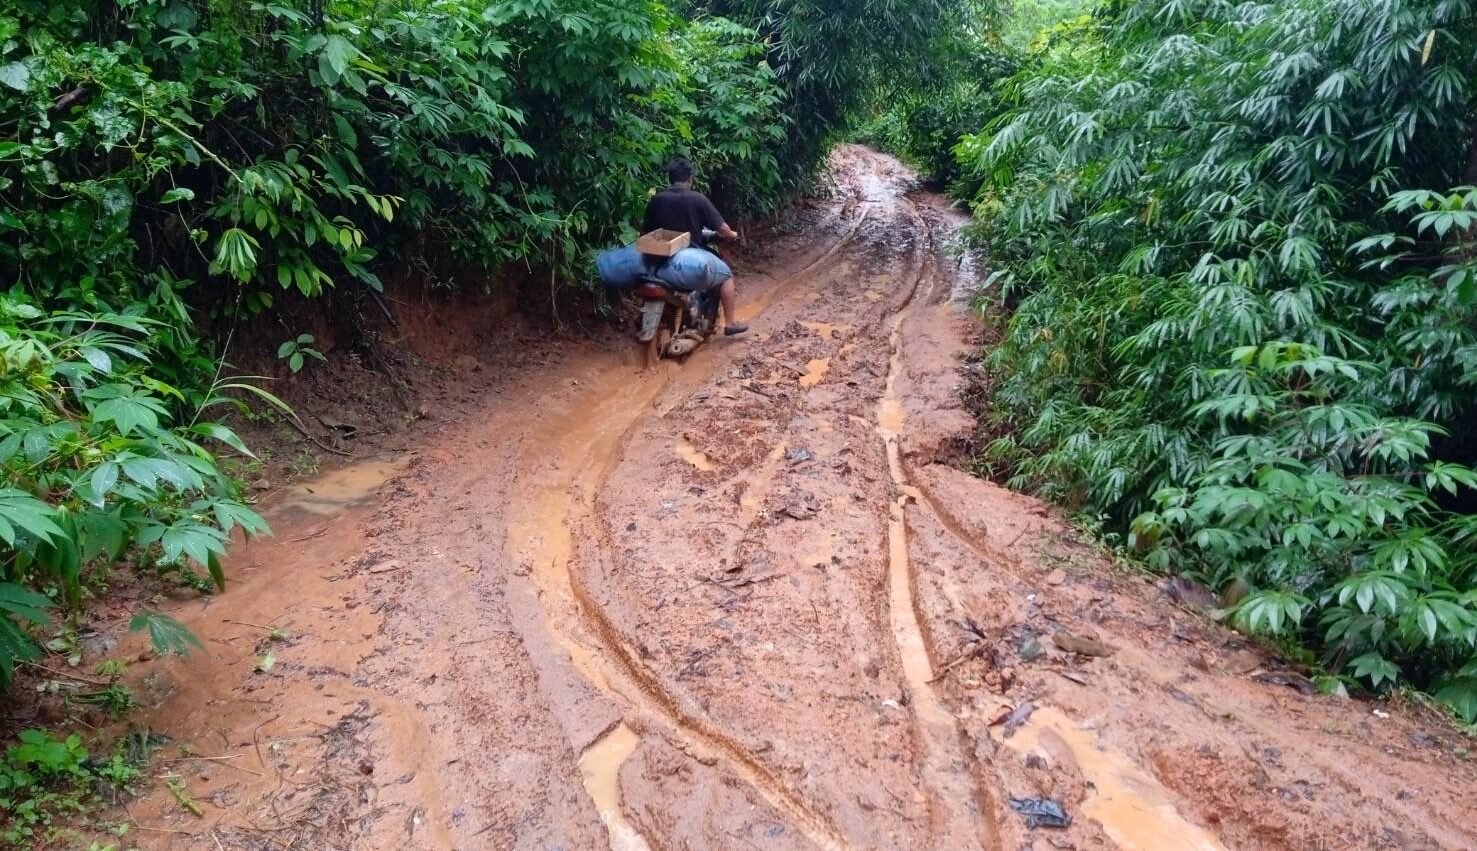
x=301, y=147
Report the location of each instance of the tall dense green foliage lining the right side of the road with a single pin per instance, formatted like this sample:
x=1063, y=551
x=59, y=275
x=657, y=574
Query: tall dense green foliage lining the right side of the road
x=1238, y=245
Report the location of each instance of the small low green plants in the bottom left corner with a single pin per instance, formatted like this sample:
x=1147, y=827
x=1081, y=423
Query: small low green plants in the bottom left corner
x=47, y=781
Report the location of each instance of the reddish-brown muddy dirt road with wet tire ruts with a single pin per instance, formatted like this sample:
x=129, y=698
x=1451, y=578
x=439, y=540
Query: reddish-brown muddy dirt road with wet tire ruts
x=747, y=602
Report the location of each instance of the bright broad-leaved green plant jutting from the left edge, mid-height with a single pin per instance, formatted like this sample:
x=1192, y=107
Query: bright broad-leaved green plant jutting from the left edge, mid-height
x=101, y=459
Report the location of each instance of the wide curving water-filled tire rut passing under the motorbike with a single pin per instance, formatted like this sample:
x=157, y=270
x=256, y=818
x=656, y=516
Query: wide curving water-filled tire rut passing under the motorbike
x=605, y=660
